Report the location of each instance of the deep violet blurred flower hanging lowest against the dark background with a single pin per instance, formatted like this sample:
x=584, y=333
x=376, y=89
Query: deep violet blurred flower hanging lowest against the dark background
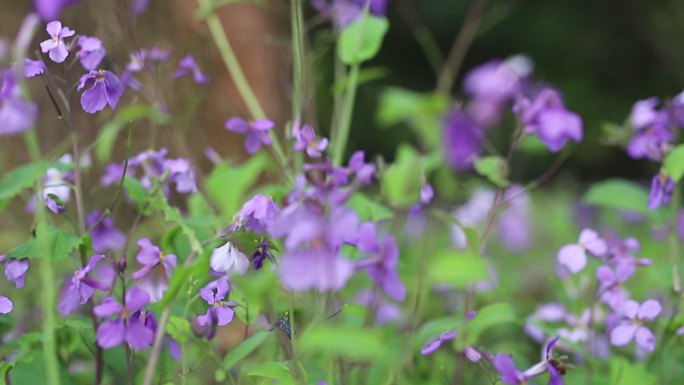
x=463, y=140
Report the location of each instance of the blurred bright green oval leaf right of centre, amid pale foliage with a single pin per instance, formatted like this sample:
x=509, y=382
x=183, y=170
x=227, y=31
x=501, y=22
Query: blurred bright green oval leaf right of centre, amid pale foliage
x=458, y=268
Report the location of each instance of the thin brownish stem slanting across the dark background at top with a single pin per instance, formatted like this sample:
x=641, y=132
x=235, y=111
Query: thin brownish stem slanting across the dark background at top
x=460, y=47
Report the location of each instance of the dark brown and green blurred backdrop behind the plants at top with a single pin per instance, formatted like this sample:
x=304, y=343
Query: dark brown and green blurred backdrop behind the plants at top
x=603, y=56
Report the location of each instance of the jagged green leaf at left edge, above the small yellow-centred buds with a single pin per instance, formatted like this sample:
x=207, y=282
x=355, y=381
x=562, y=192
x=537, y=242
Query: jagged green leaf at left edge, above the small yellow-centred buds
x=60, y=243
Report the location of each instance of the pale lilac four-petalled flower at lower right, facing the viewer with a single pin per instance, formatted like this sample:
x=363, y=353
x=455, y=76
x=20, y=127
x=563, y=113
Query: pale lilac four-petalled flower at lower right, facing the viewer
x=633, y=327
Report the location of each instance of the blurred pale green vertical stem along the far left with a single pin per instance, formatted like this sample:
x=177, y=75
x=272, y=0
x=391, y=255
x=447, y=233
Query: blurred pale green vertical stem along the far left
x=47, y=275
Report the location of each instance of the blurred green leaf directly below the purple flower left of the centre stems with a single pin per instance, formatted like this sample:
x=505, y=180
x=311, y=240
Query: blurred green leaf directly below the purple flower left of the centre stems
x=227, y=185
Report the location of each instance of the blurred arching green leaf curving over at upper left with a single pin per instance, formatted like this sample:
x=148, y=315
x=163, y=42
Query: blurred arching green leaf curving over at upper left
x=126, y=115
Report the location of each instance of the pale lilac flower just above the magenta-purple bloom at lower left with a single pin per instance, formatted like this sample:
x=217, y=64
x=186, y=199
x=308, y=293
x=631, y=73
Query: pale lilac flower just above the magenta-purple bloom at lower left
x=157, y=267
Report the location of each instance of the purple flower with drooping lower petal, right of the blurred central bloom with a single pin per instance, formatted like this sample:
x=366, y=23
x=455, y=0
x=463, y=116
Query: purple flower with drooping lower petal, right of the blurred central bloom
x=381, y=267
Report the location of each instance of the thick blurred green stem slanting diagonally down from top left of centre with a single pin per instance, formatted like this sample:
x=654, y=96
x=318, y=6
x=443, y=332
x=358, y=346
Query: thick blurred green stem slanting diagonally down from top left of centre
x=230, y=60
